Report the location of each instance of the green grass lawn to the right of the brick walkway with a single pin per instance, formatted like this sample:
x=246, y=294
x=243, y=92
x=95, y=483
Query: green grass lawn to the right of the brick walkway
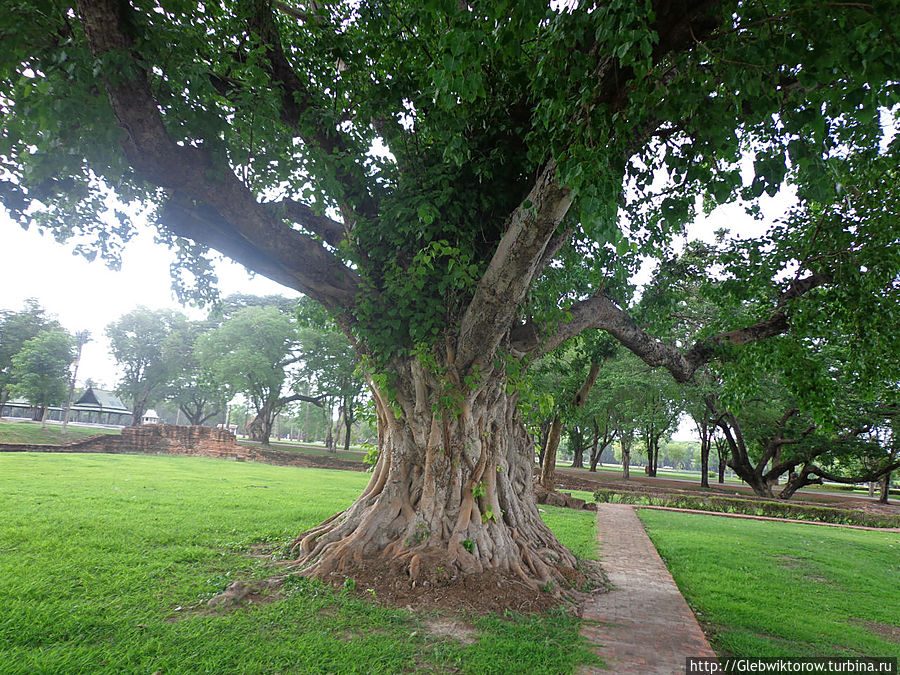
x=782, y=589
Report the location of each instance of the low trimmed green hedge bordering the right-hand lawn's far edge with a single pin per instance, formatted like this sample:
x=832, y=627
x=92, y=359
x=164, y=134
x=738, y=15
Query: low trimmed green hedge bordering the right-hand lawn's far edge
x=771, y=509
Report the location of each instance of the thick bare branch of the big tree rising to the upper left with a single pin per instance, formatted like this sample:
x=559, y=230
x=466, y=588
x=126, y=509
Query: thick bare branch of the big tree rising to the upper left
x=209, y=204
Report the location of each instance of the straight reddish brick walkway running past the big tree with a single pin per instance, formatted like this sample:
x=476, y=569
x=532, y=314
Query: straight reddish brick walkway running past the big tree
x=644, y=626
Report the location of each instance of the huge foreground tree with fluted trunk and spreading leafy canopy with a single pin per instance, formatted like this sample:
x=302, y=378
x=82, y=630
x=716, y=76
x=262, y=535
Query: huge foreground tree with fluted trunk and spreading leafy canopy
x=447, y=178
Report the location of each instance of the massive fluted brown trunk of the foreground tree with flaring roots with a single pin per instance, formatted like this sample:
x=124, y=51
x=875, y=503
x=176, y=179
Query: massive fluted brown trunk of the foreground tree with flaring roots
x=450, y=496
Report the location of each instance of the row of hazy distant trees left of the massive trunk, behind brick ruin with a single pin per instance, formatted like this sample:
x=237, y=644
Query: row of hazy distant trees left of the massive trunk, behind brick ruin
x=270, y=352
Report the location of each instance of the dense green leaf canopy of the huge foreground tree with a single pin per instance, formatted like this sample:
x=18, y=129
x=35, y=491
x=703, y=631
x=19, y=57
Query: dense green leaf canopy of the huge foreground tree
x=427, y=142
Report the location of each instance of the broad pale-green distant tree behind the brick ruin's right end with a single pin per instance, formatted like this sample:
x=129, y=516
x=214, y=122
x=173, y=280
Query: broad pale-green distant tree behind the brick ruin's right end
x=251, y=352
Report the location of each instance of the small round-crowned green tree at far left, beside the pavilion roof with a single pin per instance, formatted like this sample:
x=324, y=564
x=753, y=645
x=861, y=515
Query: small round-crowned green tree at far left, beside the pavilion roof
x=40, y=369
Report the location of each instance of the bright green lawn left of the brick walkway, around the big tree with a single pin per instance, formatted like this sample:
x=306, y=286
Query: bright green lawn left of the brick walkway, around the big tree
x=105, y=560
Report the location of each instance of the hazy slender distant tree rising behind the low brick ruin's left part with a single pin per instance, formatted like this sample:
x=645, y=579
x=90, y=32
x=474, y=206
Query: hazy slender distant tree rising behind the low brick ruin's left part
x=137, y=342
